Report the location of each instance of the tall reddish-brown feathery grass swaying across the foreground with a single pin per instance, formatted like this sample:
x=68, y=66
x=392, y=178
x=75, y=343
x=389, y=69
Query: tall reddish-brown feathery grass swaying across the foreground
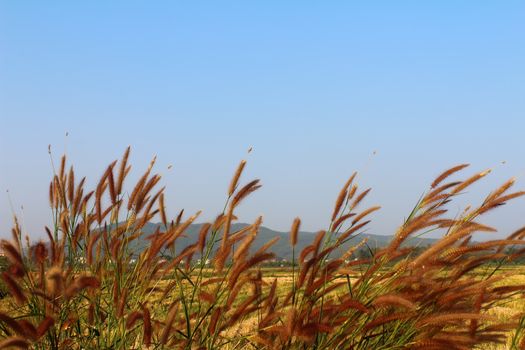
x=86, y=287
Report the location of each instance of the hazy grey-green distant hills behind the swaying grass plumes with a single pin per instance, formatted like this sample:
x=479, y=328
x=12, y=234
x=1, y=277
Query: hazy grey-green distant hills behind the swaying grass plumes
x=282, y=248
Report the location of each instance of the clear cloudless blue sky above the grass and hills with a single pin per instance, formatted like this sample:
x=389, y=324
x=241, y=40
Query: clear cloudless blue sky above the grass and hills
x=398, y=91
